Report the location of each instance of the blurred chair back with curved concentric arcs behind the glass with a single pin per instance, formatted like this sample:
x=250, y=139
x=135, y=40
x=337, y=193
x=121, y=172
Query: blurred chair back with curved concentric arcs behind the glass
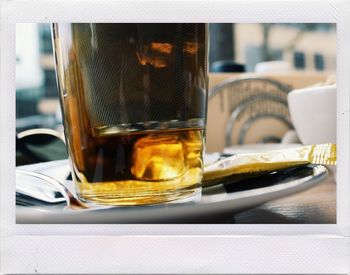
x=251, y=101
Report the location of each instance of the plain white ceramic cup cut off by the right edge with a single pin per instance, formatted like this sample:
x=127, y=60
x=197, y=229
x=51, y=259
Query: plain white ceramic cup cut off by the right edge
x=313, y=112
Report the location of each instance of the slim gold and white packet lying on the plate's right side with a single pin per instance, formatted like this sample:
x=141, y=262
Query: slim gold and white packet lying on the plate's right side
x=242, y=166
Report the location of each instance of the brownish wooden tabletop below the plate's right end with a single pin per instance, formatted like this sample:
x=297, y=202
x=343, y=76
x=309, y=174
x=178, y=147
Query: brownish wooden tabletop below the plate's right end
x=316, y=205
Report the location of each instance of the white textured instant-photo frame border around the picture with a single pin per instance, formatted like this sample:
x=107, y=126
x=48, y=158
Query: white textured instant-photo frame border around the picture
x=164, y=249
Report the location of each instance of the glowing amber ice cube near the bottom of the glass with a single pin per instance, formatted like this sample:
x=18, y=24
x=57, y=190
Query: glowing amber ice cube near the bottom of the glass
x=158, y=157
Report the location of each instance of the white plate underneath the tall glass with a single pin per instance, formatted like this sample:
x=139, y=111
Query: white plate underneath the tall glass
x=216, y=205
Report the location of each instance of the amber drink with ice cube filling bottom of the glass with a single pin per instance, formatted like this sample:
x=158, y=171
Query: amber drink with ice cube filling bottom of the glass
x=149, y=167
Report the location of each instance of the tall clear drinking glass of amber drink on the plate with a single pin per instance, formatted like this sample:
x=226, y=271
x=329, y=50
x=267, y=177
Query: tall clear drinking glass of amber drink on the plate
x=133, y=99
